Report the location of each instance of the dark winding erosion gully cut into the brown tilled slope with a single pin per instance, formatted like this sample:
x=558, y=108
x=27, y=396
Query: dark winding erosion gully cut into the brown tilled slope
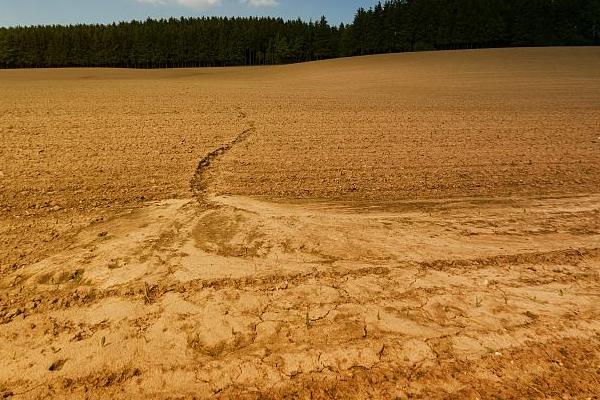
x=201, y=180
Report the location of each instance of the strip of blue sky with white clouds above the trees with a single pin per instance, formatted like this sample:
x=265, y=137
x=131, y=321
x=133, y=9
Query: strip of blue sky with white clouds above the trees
x=34, y=12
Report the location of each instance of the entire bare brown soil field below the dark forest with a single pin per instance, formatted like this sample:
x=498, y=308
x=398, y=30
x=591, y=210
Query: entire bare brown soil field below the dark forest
x=402, y=226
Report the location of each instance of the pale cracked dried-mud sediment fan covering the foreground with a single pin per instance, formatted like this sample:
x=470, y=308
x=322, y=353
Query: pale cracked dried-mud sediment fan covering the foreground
x=411, y=304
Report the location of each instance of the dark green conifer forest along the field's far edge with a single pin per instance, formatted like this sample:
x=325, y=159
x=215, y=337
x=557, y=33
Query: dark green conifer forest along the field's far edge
x=392, y=26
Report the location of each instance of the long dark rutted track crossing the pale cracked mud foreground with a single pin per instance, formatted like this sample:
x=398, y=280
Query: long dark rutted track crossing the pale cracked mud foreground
x=32, y=302
